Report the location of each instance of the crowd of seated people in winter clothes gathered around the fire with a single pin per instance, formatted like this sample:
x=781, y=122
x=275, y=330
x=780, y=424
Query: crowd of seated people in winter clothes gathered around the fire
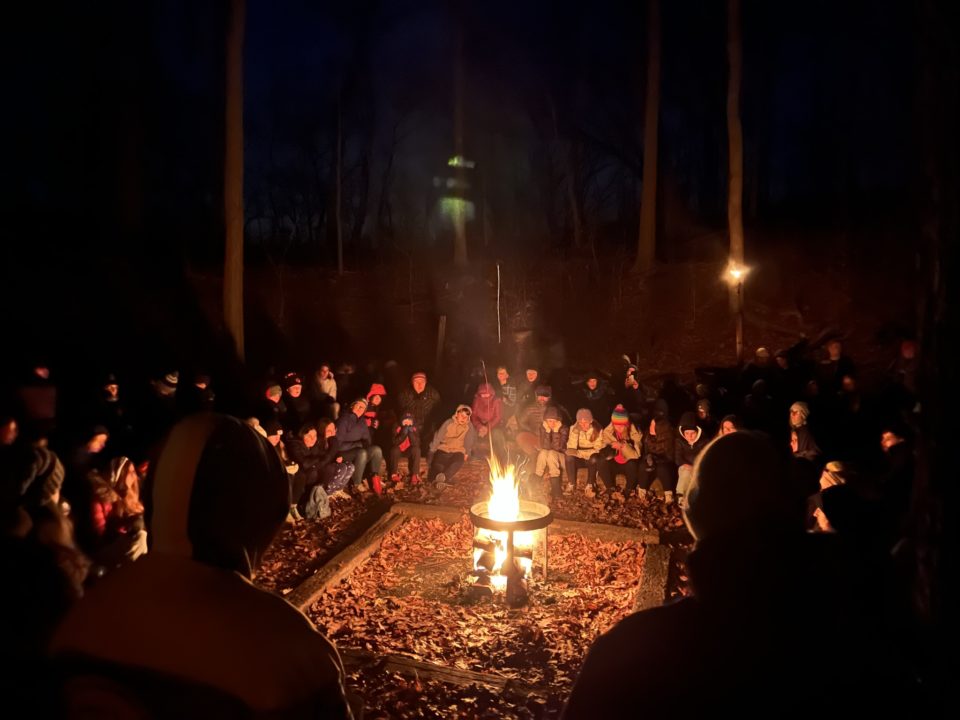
x=76, y=481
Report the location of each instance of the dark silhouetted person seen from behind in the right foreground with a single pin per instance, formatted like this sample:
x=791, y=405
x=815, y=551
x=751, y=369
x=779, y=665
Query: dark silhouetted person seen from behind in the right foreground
x=780, y=621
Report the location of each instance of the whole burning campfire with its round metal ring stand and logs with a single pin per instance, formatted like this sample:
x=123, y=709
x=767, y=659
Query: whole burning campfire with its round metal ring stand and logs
x=508, y=529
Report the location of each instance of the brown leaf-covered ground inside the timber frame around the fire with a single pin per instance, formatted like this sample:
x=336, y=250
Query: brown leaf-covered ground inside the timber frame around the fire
x=388, y=606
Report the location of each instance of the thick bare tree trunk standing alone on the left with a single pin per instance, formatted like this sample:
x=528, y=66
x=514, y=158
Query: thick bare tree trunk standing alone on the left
x=233, y=177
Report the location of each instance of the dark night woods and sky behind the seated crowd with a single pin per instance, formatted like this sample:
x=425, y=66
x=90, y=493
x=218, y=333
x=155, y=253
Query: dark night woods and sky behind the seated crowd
x=112, y=154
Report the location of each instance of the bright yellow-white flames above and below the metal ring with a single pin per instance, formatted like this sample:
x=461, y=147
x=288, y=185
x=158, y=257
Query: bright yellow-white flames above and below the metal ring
x=504, y=505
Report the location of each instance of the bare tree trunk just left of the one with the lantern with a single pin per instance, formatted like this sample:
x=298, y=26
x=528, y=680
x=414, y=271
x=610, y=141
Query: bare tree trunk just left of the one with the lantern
x=647, y=240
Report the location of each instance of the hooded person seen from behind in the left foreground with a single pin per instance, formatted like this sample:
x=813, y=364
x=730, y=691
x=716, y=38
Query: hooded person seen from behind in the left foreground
x=189, y=632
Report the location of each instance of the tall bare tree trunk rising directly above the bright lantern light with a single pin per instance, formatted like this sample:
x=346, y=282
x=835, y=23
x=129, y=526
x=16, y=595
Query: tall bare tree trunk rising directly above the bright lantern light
x=734, y=134
